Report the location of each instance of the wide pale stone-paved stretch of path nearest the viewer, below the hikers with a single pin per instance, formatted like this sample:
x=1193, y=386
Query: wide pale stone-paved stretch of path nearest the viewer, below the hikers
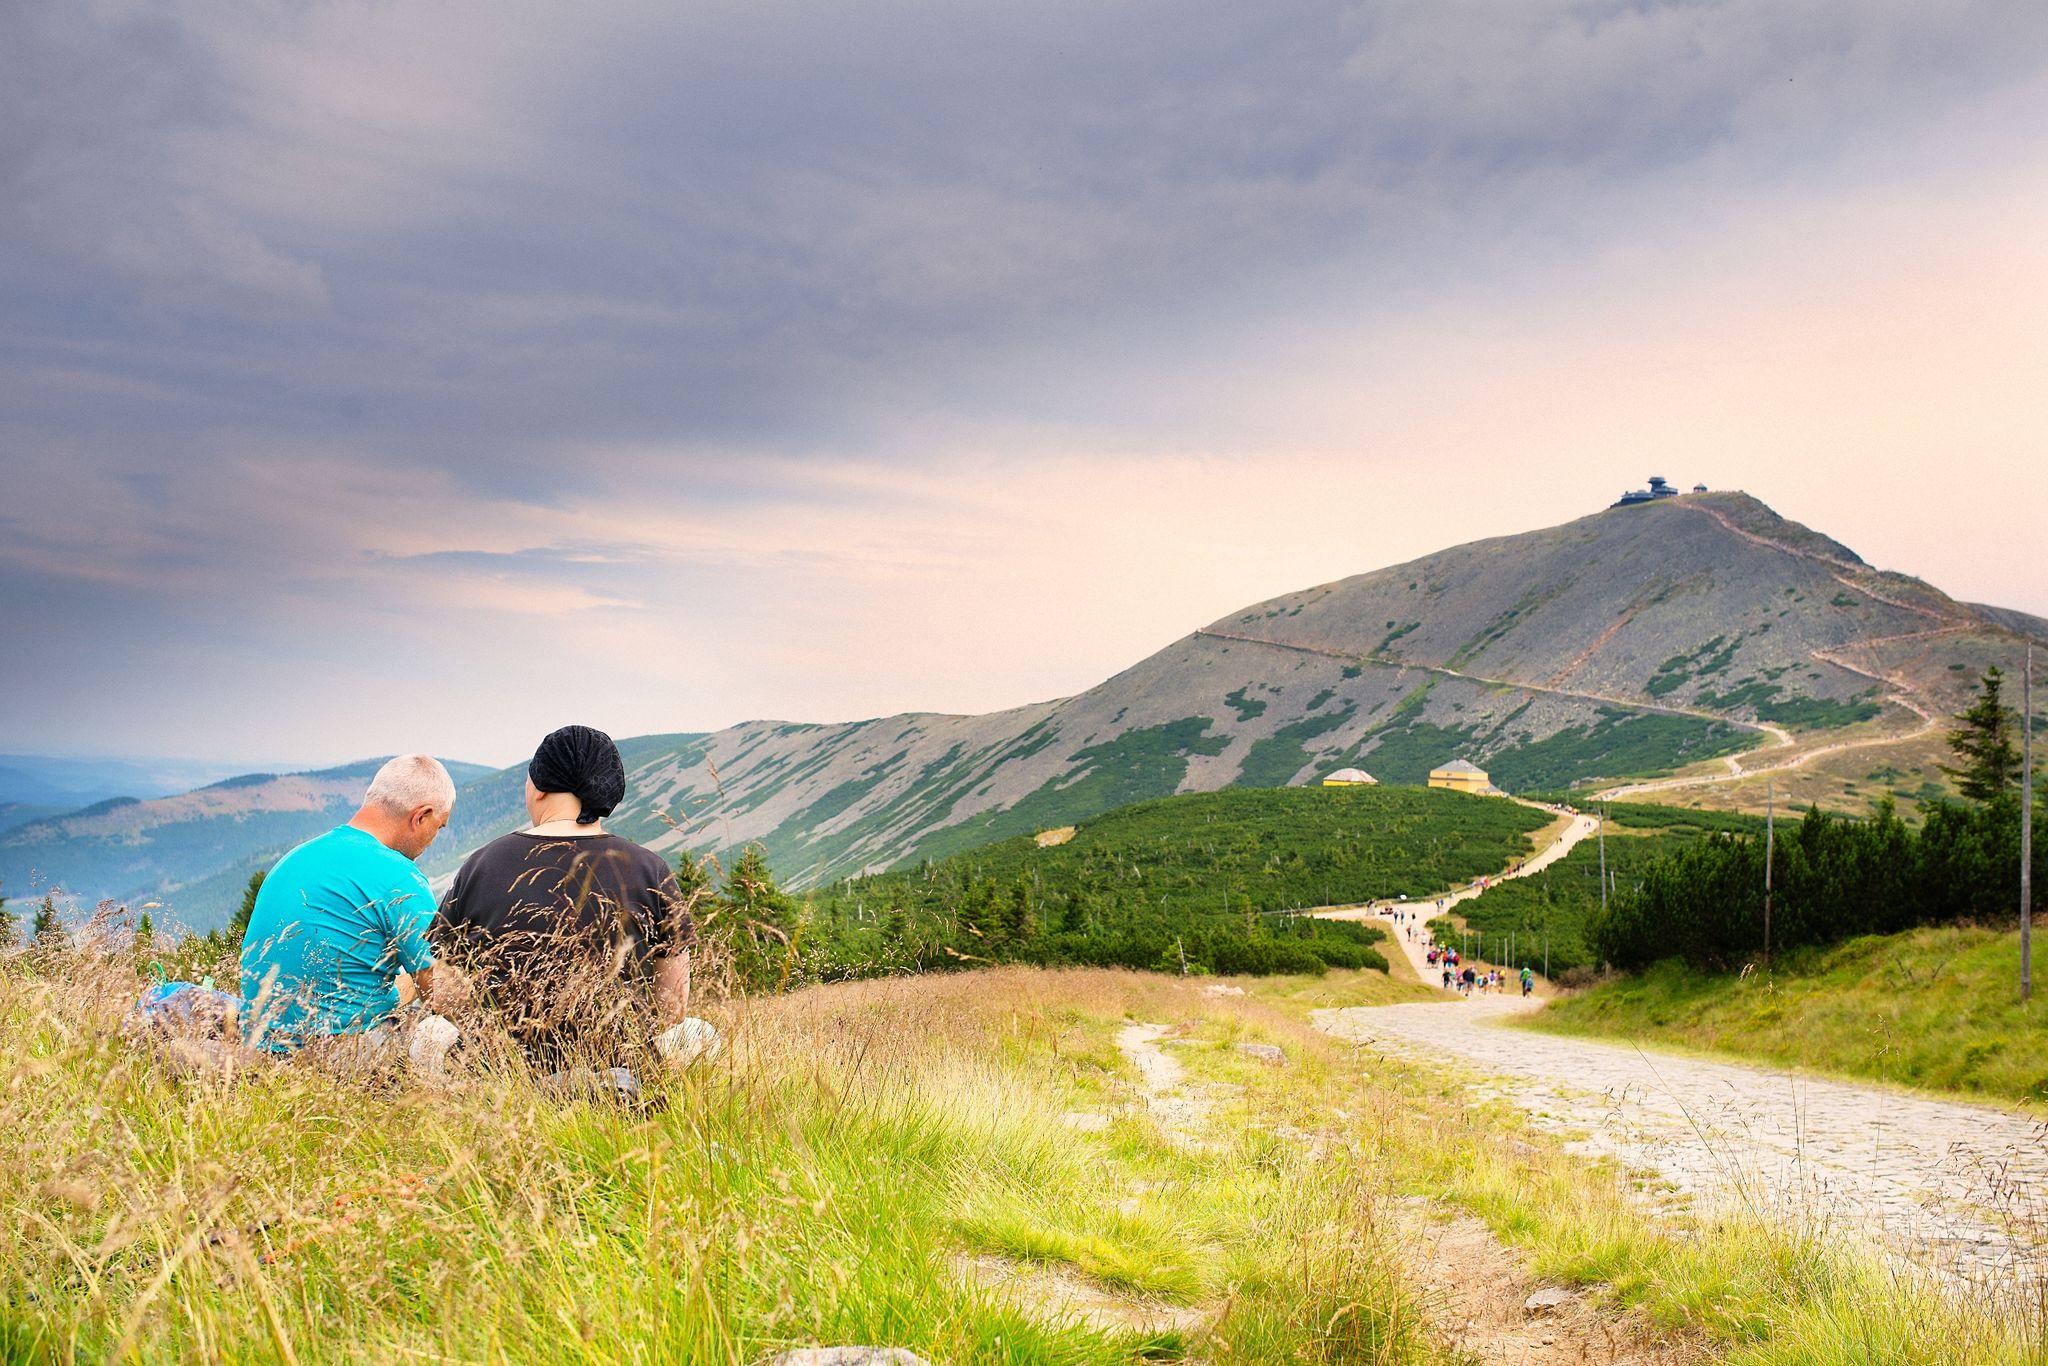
x=1957, y=1189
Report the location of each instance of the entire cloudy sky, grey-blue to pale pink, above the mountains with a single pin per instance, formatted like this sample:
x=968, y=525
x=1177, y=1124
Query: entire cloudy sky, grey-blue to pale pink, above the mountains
x=429, y=376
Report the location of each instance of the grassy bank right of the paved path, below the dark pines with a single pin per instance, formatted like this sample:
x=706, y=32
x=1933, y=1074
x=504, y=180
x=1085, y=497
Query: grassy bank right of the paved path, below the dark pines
x=1930, y=1009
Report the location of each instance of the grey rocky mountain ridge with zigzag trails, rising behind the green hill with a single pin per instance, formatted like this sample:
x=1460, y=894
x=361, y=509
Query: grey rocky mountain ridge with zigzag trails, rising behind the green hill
x=1701, y=636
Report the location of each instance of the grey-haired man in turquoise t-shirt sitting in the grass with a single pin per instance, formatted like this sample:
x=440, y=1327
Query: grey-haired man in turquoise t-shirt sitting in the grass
x=345, y=912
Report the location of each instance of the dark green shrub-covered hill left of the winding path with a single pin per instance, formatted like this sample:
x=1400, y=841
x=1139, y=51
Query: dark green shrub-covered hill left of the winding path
x=1199, y=876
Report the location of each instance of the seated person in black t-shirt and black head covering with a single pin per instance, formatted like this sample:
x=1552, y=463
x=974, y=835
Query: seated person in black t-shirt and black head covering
x=579, y=939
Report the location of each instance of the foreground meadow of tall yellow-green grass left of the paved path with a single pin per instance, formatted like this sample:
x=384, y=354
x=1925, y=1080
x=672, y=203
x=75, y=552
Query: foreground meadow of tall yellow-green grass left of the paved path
x=959, y=1164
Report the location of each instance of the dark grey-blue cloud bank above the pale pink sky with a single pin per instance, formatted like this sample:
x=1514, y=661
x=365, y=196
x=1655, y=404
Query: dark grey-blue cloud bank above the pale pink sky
x=271, y=269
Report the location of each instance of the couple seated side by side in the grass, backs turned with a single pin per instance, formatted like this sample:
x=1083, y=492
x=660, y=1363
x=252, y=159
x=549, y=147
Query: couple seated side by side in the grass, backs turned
x=577, y=939
